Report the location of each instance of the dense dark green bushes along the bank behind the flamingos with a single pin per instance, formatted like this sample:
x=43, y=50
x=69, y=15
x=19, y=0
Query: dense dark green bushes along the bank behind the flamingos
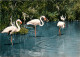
x=52, y=9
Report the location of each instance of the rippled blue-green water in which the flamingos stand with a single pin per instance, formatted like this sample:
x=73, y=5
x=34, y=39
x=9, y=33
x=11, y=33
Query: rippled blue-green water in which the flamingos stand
x=47, y=43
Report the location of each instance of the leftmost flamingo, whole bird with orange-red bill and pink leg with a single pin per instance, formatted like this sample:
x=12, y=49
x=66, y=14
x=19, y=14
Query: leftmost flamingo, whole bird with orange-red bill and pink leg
x=11, y=29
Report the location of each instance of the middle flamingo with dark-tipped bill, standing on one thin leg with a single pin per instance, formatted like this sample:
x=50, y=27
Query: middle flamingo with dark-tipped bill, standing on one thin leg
x=36, y=22
